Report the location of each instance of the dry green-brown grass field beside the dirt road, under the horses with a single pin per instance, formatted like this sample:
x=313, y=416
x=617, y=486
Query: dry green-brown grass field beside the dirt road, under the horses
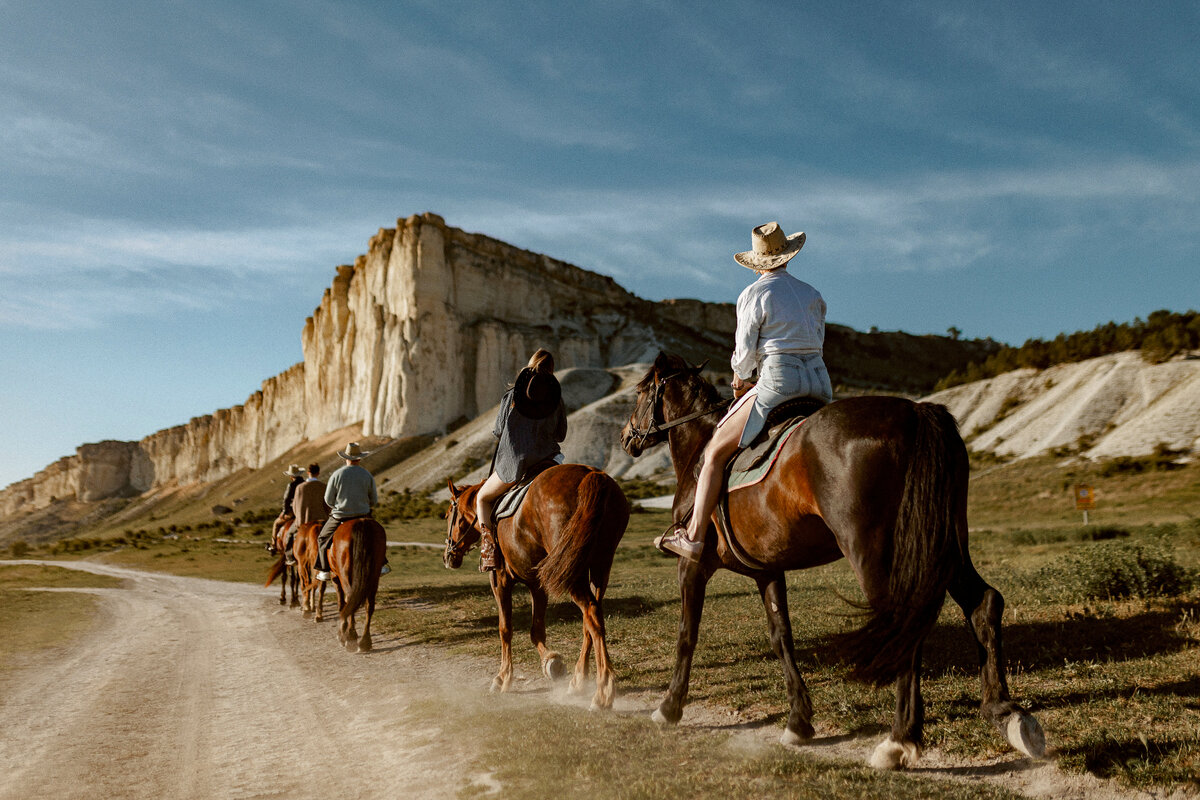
x=1102, y=634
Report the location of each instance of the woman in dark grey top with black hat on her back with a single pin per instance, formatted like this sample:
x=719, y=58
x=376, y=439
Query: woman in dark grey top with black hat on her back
x=531, y=424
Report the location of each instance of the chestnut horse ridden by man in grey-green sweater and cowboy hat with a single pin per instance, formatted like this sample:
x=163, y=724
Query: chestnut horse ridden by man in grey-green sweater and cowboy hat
x=356, y=556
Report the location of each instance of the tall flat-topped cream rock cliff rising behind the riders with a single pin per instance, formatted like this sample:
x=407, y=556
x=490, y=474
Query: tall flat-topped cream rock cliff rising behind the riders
x=419, y=338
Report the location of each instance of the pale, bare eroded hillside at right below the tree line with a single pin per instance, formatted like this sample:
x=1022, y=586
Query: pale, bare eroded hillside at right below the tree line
x=1113, y=406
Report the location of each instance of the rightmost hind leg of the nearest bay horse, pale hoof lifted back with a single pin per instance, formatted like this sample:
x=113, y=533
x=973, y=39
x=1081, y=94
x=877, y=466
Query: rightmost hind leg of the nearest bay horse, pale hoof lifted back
x=983, y=607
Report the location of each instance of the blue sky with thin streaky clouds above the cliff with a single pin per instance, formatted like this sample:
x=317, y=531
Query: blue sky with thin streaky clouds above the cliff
x=179, y=181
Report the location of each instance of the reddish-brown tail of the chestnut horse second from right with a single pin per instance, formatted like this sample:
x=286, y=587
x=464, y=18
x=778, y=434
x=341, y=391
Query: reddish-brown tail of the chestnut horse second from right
x=568, y=569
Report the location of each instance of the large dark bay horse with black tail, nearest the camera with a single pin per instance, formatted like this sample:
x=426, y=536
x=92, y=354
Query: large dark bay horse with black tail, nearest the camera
x=881, y=482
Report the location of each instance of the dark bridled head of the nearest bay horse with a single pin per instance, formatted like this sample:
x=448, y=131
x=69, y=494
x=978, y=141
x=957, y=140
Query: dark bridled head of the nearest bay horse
x=669, y=390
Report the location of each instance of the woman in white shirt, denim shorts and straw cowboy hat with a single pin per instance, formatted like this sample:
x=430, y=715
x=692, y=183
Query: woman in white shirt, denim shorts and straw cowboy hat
x=782, y=334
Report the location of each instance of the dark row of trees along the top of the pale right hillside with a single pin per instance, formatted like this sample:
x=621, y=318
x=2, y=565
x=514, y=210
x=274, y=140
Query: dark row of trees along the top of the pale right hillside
x=1163, y=335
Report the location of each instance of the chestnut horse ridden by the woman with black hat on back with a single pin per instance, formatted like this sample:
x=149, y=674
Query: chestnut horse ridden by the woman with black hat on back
x=561, y=543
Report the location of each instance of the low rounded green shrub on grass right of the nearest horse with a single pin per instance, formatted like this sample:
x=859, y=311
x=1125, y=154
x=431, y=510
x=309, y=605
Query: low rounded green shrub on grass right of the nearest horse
x=1114, y=572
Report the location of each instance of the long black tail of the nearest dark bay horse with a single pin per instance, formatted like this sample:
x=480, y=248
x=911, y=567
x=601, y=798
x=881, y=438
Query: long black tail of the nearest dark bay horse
x=927, y=551
